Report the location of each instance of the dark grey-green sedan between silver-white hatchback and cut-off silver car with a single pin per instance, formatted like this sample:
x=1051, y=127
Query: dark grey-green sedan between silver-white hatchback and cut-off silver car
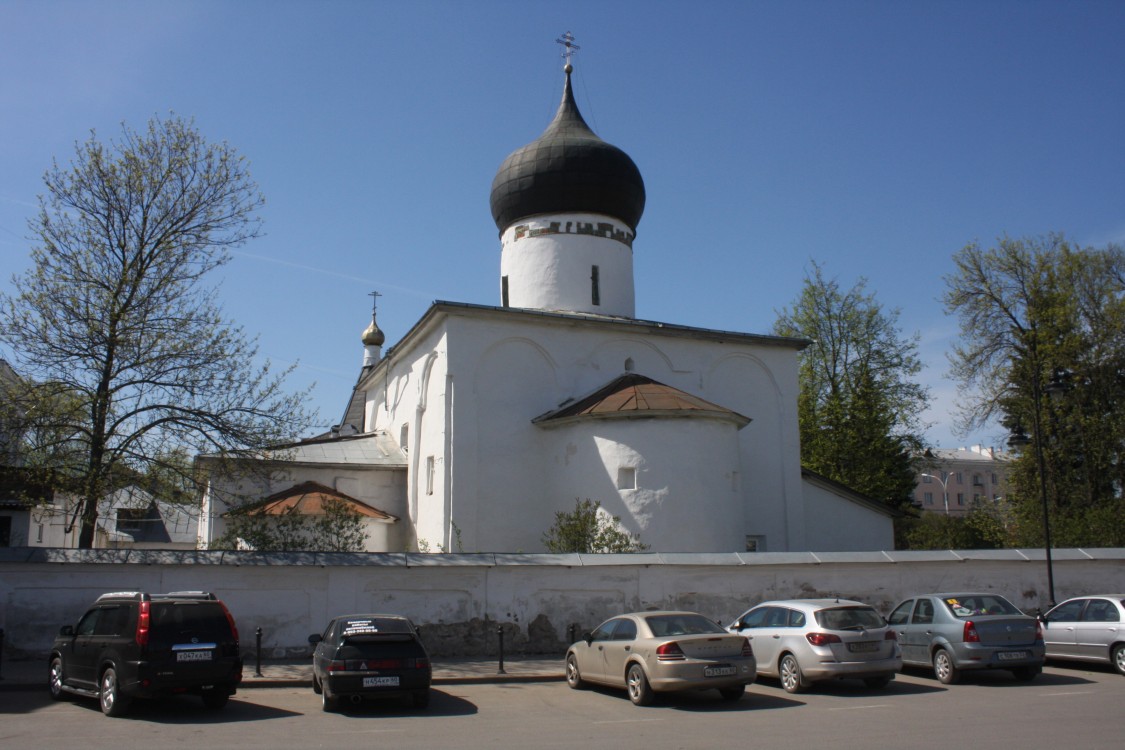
x=960, y=631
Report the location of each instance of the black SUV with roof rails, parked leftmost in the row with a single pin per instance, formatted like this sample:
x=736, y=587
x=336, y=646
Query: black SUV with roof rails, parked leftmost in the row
x=134, y=645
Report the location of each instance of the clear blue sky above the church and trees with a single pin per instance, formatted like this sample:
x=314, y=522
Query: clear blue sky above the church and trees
x=874, y=138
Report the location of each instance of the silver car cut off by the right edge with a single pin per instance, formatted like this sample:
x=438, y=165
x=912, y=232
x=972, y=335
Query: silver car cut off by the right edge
x=1088, y=629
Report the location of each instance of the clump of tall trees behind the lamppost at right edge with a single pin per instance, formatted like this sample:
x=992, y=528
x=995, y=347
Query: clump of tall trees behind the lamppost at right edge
x=1036, y=311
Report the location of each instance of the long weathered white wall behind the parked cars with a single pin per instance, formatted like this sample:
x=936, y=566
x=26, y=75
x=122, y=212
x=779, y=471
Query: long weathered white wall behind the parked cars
x=461, y=601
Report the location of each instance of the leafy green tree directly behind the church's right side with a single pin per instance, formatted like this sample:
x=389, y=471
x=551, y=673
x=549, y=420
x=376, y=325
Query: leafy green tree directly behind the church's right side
x=859, y=406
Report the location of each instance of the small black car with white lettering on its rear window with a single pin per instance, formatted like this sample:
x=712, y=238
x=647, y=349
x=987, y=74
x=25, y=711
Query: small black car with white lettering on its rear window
x=371, y=656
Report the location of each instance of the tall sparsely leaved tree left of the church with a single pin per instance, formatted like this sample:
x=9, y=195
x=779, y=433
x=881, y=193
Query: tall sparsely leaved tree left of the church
x=116, y=320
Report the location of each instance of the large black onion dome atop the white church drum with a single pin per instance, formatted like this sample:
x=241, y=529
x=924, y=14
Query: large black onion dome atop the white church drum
x=568, y=169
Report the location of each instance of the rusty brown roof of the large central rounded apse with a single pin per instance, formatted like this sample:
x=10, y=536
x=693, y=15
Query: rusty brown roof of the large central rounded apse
x=634, y=395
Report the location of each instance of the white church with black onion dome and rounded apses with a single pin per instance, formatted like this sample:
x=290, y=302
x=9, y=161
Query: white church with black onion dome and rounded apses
x=483, y=422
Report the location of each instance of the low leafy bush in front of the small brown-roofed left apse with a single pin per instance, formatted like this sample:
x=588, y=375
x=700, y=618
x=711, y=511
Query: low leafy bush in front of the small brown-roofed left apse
x=339, y=529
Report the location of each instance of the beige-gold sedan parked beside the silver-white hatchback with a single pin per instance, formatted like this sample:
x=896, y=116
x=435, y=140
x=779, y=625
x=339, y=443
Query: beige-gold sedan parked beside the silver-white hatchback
x=649, y=653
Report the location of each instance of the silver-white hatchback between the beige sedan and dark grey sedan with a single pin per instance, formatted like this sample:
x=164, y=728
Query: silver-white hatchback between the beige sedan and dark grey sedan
x=805, y=641
